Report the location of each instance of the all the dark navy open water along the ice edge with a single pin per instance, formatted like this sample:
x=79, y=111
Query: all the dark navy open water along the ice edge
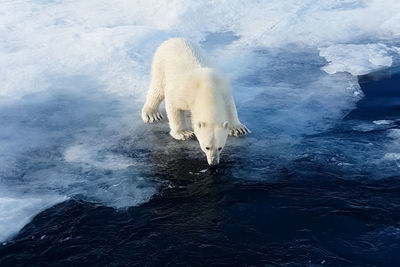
x=302, y=213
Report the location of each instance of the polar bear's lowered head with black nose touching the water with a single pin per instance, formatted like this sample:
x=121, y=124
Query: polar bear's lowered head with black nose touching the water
x=212, y=139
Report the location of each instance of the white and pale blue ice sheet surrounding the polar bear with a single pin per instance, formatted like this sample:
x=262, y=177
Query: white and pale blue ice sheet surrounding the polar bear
x=74, y=76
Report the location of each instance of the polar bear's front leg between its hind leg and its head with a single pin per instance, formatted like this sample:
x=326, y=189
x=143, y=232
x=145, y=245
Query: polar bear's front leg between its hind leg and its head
x=178, y=125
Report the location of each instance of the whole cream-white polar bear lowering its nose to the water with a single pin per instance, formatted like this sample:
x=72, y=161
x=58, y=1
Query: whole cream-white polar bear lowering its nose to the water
x=183, y=75
